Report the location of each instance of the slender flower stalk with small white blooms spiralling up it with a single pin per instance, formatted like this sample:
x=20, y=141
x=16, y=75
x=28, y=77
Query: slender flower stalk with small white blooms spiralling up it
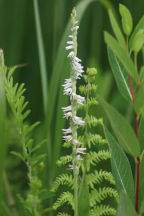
x=70, y=112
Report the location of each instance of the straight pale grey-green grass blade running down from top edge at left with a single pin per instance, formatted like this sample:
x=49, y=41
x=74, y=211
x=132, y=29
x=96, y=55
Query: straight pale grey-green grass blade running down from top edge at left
x=43, y=70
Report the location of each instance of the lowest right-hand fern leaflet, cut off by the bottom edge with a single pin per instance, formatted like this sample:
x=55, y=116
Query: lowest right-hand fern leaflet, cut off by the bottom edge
x=103, y=210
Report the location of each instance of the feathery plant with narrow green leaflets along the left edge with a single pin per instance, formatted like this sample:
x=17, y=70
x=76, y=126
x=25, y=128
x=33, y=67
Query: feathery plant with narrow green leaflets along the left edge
x=16, y=100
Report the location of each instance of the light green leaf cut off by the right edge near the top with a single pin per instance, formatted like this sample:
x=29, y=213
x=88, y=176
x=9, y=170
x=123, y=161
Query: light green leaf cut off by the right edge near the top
x=137, y=41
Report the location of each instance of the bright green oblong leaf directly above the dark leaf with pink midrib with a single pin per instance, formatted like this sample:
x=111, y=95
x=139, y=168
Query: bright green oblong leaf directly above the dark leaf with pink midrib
x=121, y=55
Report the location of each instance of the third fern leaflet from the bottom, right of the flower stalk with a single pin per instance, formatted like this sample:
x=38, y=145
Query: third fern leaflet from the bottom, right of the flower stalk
x=98, y=176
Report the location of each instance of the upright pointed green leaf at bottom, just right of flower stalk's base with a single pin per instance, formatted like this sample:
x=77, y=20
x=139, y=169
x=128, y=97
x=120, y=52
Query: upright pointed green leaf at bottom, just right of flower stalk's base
x=83, y=200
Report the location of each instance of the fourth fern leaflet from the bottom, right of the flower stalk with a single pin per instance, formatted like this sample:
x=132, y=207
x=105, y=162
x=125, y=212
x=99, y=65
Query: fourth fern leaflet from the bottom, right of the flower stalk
x=93, y=158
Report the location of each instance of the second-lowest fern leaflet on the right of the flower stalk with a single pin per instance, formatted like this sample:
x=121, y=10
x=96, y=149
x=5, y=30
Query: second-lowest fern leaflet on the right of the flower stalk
x=97, y=196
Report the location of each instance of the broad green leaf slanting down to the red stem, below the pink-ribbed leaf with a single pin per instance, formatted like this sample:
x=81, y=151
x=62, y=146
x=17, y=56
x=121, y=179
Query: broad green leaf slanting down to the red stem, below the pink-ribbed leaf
x=124, y=133
